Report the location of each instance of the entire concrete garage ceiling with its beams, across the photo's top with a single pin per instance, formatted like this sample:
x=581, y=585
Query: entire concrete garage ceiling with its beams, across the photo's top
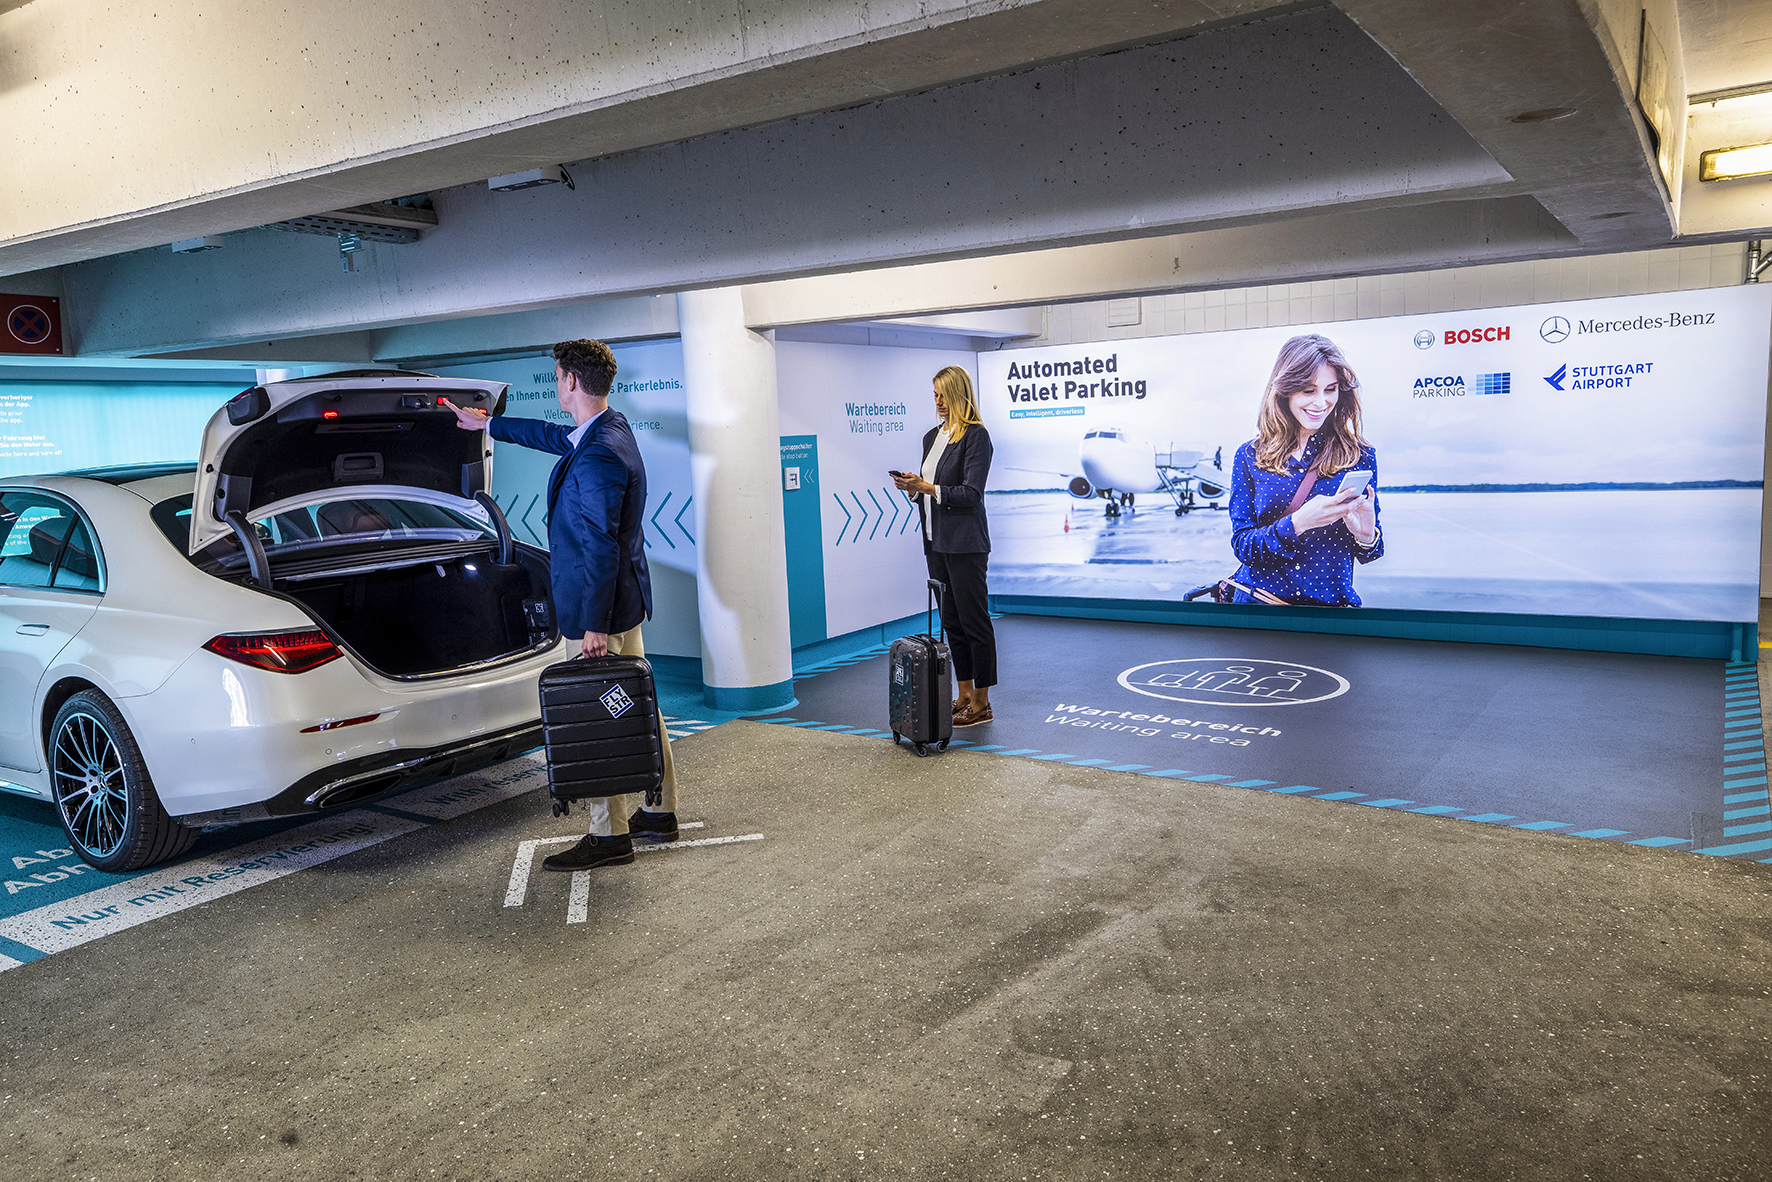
x=781, y=139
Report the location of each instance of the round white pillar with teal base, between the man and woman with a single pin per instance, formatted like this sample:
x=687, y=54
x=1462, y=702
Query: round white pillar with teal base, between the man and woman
x=736, y=462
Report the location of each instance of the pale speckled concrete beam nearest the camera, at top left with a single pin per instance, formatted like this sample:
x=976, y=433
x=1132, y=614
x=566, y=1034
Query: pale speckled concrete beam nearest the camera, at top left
x=136, y=125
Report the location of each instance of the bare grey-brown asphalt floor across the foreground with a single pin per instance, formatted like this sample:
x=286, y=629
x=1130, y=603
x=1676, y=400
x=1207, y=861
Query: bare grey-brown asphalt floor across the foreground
x=963, y=967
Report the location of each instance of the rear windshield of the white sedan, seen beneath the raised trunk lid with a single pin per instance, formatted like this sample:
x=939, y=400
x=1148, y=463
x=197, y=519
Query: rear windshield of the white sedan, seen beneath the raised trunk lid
x=329, y=524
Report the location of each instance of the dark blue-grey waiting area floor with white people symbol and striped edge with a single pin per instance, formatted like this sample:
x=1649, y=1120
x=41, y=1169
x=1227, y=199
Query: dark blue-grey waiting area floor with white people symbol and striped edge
x=1661, y=752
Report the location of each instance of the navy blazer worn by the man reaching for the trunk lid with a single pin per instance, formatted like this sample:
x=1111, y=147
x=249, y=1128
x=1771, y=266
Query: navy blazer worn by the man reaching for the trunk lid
x=596, y=506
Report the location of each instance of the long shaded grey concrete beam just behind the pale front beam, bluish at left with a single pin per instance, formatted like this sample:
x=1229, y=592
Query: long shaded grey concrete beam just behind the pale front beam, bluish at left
x=1284, y=118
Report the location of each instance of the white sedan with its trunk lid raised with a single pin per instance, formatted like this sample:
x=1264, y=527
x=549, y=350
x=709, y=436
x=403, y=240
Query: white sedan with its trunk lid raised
x=325, y=610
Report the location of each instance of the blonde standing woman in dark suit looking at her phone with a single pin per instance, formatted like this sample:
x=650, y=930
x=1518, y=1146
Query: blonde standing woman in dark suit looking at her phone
x=951, y=494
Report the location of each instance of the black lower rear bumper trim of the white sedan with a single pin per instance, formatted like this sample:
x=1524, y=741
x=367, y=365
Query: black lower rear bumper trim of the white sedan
x=364, y=781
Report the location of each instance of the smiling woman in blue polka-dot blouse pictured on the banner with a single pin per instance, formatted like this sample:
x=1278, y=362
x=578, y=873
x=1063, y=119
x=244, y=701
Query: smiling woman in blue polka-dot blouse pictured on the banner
x=1303, y=502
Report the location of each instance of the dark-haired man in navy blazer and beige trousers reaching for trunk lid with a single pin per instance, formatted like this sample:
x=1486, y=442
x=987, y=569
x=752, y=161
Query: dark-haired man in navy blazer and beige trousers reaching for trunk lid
x=602, y=589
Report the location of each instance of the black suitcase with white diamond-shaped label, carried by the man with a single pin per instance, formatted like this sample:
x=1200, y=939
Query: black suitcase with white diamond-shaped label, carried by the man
x=602, y=727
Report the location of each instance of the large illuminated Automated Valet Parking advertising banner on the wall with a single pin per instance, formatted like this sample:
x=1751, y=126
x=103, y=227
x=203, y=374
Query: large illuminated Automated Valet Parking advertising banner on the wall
x=1589, y=458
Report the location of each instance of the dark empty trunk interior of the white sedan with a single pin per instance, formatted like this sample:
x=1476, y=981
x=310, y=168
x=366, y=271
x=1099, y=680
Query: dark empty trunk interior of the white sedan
x=431, y=618
